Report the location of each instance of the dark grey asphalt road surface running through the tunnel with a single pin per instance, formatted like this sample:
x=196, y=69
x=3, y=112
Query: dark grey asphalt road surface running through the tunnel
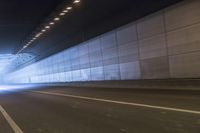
x=100, y=110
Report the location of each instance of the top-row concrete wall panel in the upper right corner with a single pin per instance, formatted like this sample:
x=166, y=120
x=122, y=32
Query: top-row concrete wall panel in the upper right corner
x=182, y=14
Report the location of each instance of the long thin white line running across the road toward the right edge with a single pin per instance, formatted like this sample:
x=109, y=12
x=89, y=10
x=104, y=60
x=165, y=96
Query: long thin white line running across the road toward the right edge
x=124, y=103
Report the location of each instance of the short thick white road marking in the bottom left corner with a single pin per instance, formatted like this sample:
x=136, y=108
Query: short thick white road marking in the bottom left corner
x=10, y=121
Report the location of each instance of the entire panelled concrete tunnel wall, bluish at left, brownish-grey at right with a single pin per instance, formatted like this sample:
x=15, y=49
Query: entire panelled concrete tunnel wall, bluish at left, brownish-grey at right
x=163, y=45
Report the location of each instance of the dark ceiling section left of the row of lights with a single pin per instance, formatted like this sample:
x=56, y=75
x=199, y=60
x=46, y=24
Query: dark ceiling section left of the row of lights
x=18, y=18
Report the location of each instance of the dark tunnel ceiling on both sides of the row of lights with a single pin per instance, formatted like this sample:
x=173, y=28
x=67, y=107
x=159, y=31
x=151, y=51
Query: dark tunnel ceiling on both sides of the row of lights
x=19, y=18
